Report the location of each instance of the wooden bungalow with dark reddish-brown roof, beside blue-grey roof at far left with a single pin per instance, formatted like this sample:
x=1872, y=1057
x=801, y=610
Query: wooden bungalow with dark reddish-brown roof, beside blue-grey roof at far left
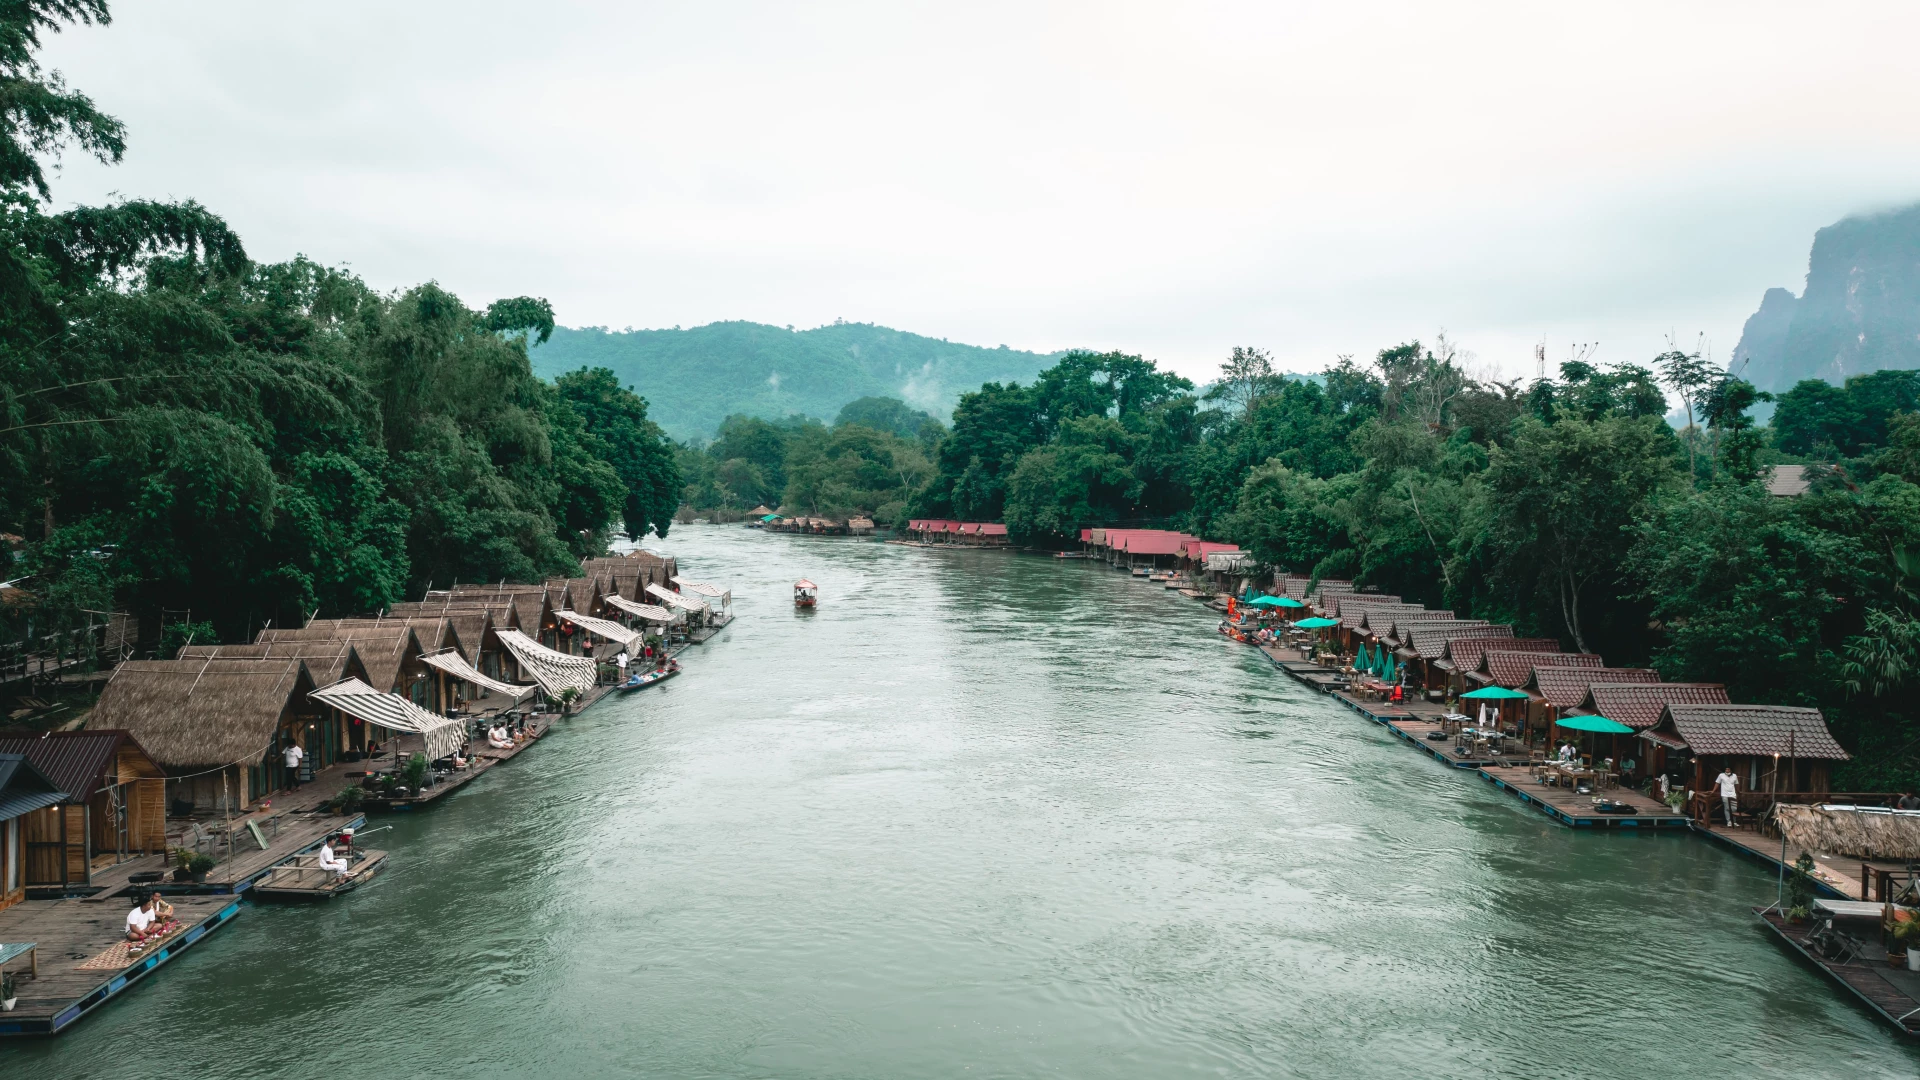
x=116, y=804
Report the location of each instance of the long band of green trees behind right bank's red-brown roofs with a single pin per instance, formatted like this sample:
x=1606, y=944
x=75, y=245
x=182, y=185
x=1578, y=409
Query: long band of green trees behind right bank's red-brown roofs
x=1570, y=506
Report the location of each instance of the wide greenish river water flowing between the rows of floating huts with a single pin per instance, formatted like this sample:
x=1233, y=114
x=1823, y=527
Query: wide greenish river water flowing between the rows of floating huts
x=988, y=816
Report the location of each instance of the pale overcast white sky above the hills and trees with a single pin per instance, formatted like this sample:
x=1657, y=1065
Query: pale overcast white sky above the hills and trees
x=1170, y=180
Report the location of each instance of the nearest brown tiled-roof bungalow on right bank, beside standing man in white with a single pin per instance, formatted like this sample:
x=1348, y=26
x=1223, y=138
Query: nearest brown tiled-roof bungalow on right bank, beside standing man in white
x=1771, y=749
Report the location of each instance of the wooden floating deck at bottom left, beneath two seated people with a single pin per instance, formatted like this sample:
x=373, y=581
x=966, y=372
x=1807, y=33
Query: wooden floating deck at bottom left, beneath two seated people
x=72, y=933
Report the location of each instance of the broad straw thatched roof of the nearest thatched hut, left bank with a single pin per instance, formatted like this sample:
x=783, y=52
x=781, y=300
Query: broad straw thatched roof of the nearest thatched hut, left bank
x=203, y=712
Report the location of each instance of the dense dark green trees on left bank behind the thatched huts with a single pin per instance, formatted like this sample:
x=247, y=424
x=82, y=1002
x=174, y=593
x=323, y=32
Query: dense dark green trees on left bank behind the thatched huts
x=189, y=433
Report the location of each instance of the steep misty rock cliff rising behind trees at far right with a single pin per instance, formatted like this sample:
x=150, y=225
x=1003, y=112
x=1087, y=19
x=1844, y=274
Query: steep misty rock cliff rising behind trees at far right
x=1860, y=314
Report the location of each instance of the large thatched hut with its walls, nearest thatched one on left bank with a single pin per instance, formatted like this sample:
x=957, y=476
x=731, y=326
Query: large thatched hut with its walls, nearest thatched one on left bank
x=214, y=725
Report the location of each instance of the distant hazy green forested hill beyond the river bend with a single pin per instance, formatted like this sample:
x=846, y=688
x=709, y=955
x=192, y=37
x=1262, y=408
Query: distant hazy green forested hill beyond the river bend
x=698, y=378
